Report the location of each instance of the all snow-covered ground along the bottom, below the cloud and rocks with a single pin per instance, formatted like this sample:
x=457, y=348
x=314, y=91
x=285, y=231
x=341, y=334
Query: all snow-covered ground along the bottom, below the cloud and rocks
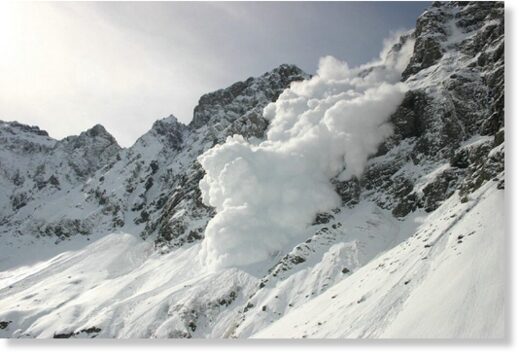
x=442, y=275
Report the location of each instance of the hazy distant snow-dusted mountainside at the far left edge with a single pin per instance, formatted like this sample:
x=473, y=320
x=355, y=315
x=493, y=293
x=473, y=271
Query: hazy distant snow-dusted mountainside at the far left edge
x=36, y=170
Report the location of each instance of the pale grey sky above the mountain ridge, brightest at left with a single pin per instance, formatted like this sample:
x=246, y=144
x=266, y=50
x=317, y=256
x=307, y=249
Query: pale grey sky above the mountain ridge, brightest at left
x=68, y=66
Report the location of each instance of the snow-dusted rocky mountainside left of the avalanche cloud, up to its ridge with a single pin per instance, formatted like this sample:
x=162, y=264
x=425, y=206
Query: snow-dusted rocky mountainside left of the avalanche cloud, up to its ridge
x=140, y=189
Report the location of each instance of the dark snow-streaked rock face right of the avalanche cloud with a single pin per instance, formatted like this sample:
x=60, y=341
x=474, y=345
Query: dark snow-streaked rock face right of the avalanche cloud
x=452, y=118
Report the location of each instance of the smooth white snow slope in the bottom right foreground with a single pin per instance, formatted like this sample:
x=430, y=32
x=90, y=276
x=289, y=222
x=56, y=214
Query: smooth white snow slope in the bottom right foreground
x=447, y=280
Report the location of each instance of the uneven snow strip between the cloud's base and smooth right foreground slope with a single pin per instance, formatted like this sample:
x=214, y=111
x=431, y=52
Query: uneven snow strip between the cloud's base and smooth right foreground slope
x=330, y=257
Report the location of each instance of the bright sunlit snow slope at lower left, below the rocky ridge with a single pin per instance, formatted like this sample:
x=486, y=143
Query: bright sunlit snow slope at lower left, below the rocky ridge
x=119, y=285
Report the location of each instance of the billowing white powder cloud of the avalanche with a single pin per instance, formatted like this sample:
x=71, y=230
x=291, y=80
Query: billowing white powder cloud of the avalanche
x=266, y=194
